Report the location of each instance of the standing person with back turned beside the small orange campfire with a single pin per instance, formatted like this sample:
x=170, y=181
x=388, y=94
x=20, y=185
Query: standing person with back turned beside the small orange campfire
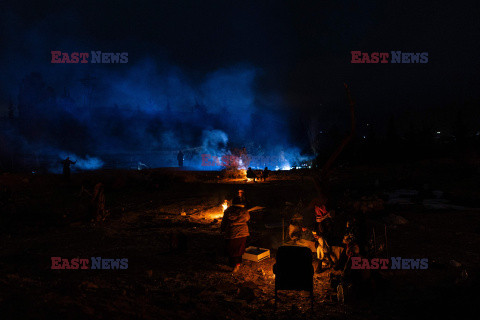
x=235, y=229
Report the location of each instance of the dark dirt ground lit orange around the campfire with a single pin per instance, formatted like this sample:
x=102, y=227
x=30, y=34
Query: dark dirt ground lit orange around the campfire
x=166, y=223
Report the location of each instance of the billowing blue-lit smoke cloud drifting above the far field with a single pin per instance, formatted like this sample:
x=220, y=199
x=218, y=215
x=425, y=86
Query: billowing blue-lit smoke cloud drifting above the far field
x=144, y=111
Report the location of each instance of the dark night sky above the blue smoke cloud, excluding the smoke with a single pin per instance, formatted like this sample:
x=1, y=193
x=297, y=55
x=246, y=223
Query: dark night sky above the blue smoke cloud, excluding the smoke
x=301, y=49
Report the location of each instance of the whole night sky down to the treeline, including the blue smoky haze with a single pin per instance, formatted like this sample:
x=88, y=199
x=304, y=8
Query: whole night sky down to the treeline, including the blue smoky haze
x=290, y=58
